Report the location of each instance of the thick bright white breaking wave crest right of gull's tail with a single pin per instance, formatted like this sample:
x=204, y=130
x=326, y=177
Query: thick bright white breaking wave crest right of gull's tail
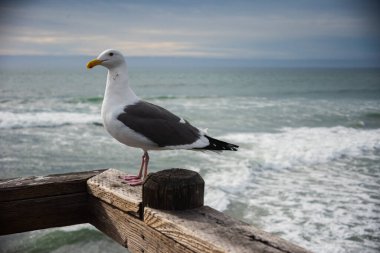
x=306, y=146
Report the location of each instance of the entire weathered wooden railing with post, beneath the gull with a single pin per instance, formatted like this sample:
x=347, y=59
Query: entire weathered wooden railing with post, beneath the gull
x=166, y=214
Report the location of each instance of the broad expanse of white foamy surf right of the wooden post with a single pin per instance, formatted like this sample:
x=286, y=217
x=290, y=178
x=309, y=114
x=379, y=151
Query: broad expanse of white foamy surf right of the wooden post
x=302, y=178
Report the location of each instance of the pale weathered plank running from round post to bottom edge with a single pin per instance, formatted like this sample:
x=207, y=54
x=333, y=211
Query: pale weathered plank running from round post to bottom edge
x=207, y=230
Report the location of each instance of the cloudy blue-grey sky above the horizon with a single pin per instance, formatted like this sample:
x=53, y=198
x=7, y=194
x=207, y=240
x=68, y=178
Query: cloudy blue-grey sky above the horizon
x=336, y=30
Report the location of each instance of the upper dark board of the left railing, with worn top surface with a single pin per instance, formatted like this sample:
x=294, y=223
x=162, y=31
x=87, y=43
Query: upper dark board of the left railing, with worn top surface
x=51, y=185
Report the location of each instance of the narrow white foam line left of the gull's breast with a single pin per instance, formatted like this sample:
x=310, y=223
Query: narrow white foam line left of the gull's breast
x=44, y=119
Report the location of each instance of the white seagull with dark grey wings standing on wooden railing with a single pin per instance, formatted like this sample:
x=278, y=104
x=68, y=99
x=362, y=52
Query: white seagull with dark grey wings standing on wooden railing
x=140, y=124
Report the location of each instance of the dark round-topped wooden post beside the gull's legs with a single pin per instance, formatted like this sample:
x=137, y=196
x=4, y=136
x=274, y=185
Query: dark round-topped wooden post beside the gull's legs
x=173, y=189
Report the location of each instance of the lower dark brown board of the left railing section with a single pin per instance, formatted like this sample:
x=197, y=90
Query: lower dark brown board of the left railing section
x=46, y=212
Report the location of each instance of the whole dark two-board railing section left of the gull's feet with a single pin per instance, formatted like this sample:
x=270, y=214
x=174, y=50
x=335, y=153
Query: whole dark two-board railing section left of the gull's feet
x=30, y=203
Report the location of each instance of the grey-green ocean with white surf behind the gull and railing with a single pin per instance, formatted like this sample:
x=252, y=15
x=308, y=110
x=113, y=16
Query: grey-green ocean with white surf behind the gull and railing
x=308, y=167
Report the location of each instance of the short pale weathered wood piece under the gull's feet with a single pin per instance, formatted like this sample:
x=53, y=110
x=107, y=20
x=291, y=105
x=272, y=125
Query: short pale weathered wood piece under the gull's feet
x=109, y=187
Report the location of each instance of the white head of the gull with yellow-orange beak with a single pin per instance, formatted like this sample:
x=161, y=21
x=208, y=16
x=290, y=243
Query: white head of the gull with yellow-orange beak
x=110, y=59
